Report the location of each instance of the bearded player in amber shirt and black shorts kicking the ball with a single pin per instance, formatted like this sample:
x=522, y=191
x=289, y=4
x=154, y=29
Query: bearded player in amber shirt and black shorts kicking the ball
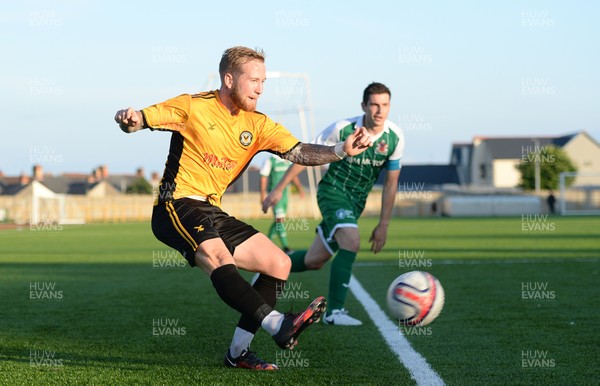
x=214, y=136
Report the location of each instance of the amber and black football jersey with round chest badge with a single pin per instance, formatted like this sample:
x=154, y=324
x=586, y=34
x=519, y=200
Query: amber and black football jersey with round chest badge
x=210, y=147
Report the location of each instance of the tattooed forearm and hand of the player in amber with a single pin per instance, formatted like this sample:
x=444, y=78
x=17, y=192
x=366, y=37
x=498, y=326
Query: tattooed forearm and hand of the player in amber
x=309, y=154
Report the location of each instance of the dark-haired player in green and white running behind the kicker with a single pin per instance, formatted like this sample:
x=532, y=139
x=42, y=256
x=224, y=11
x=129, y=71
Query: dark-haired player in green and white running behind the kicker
x=342, y=194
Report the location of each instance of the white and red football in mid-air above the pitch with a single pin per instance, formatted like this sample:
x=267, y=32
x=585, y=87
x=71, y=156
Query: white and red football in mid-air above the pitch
x=415, y=298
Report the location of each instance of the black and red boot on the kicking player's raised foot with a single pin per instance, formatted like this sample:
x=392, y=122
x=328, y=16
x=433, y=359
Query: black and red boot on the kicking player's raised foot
x=294, y=323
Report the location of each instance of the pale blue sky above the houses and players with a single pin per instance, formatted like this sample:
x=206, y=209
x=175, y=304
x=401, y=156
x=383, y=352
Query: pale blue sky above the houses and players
x=457, y=69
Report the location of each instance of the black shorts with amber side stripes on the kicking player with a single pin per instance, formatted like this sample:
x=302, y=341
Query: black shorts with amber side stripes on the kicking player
x=185, y=223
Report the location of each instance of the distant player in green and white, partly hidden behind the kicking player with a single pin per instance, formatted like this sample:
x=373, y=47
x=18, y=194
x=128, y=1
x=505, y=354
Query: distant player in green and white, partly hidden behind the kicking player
x=271, y=173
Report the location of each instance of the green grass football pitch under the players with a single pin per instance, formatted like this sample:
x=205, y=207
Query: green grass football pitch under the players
x=108, y=304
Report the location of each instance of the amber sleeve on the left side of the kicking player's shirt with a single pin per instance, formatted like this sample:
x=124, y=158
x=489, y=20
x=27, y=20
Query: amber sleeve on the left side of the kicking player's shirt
x=170, y=115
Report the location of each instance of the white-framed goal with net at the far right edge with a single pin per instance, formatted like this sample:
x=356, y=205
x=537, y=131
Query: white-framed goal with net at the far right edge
x=579, y=193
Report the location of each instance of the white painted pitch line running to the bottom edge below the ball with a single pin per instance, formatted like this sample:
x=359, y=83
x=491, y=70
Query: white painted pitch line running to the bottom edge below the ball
x=417, y=366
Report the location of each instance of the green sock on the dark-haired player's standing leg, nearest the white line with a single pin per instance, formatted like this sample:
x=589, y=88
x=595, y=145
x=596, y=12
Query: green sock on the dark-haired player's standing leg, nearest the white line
x=339, y=278
